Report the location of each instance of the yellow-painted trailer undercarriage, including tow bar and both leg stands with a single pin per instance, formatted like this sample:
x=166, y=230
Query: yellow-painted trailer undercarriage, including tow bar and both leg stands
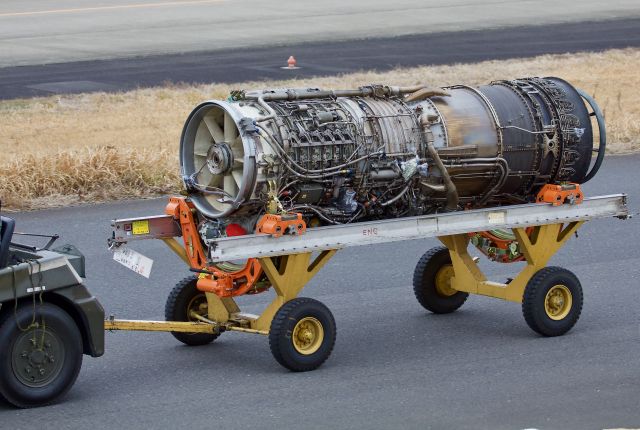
x=288, y=274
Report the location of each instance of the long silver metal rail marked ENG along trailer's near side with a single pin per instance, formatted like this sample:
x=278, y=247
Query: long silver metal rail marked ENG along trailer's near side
x=368, y=233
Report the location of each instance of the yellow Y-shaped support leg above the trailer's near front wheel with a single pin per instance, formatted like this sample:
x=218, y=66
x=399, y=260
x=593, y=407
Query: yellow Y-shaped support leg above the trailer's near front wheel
x=288, y=278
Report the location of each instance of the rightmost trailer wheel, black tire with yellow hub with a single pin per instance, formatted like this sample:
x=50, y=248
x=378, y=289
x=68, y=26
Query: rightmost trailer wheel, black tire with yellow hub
x=552, y=301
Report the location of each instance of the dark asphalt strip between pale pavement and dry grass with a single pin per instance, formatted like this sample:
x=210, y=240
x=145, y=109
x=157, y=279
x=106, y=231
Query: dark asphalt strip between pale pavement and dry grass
x=317, y=58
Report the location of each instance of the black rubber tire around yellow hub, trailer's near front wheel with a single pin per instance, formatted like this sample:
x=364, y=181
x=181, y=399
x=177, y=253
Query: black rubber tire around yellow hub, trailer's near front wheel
x=281, y=334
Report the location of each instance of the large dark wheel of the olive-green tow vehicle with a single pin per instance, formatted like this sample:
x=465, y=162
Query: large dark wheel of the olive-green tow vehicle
x=40, y=364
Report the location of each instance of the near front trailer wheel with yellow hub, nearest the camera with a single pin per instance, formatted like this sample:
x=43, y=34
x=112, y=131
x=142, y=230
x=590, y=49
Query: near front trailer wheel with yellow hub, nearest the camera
x=302, y=334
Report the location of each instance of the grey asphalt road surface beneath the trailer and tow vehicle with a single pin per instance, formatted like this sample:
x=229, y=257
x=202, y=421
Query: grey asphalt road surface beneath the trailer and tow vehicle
x=394, y=364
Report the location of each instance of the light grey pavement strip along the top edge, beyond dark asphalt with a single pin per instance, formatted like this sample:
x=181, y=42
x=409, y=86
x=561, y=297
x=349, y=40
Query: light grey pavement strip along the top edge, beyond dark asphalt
x=38, y=32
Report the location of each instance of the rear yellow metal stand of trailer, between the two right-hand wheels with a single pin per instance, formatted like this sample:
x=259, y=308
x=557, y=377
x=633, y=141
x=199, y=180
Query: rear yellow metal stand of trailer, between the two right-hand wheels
x=544, y=242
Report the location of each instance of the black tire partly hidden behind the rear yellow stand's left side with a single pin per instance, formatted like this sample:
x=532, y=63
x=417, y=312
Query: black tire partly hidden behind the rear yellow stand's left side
x=424, y=283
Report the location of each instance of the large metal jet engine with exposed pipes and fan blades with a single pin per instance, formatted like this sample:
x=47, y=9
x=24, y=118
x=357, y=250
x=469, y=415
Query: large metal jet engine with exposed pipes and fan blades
x=382, y=151
